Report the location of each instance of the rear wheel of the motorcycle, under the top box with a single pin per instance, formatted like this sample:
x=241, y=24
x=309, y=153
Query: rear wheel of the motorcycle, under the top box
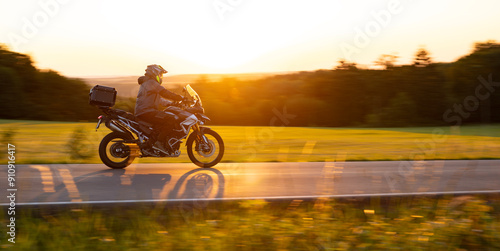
x=113, y=152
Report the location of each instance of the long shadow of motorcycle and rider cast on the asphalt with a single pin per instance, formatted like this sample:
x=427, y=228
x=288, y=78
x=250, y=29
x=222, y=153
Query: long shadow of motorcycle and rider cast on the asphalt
x=118, y=185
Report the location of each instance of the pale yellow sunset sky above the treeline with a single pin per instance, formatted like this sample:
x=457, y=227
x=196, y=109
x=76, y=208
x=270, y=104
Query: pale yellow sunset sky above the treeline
x=111, y=38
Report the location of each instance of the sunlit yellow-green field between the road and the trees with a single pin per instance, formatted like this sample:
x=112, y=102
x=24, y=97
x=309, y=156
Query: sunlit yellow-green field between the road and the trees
x=47, y=142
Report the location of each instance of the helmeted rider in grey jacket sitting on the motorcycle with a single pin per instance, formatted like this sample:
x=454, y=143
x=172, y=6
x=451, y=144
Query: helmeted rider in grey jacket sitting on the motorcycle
x=150, y=98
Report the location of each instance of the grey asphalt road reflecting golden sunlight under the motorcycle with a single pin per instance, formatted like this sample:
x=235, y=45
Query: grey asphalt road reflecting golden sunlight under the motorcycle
x=95, y=183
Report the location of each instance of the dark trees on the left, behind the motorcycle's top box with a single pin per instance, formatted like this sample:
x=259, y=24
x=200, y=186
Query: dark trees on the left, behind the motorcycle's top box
x=29, y=93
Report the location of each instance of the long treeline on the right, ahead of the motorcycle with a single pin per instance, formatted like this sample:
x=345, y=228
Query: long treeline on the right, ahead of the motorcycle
x=421, y=94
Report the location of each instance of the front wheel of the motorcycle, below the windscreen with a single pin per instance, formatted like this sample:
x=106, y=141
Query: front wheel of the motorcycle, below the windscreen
x=205, y=150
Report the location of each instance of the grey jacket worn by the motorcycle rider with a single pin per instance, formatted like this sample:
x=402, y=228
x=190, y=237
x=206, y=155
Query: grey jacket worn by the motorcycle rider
x=150, y=96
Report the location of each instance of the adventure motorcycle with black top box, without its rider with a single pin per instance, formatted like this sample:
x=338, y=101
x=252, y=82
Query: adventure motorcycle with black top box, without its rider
x=133, y=138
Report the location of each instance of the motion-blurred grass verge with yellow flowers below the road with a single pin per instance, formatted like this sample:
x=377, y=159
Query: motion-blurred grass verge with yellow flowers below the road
x=401, y=223
